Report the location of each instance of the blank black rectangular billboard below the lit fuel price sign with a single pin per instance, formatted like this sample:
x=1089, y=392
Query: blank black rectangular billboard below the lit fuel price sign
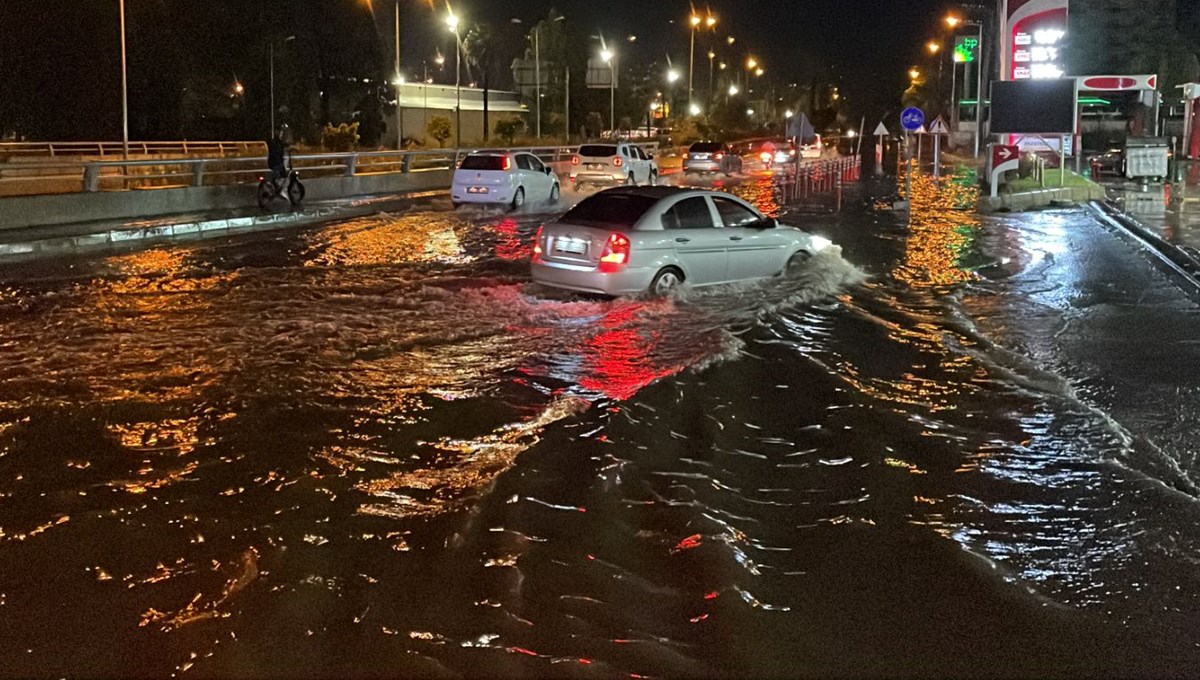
x=1034, y=107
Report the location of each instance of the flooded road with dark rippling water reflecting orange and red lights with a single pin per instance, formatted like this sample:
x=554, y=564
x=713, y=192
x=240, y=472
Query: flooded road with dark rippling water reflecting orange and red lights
x=962, y=448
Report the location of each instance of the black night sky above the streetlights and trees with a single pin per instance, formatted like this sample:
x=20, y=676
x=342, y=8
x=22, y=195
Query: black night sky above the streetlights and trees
x=61, y=61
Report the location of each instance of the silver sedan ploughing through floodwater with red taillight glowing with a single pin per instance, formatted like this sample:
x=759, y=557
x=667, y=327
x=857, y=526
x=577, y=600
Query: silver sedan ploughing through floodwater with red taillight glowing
x=627, y=242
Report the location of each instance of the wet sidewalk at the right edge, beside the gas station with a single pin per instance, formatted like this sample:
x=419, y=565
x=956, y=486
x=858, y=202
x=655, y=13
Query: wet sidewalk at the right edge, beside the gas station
x=1166, y=218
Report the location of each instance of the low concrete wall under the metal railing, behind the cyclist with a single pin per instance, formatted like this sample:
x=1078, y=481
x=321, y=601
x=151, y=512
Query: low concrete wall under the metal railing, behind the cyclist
x=22, y=213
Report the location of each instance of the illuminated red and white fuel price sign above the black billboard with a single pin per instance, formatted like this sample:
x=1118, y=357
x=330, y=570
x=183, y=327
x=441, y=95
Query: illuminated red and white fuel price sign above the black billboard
x=1035, y=38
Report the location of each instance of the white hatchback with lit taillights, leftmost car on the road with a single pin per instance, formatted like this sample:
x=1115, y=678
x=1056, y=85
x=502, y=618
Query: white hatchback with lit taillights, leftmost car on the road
x=503, y=178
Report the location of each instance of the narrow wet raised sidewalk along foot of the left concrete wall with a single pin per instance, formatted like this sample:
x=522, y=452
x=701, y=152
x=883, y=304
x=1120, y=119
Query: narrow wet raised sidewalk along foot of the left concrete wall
x=73, y=239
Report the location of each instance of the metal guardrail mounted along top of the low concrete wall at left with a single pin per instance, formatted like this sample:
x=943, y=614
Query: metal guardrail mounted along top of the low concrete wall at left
x=79, y=176
